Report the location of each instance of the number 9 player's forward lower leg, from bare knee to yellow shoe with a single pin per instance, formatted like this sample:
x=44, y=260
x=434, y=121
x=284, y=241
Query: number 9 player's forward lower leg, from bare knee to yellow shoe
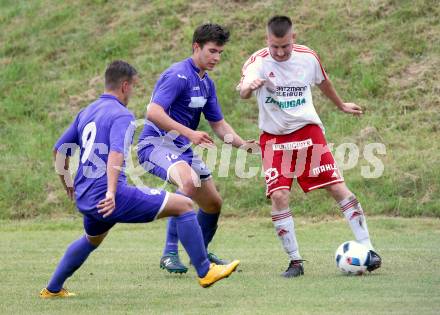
x=191, y=237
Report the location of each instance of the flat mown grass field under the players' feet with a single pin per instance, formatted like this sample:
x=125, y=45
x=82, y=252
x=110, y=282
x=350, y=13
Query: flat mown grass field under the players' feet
x=123, y=276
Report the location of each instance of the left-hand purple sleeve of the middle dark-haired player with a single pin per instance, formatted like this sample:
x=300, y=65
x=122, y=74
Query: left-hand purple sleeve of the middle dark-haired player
x=168, y=88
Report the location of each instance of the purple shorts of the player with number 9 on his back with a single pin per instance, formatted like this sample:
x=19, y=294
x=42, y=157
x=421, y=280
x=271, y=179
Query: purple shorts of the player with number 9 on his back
x=133, y=205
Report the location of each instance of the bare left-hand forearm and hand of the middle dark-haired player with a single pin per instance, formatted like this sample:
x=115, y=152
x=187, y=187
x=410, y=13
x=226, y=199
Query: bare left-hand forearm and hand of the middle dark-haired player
x=157, y=115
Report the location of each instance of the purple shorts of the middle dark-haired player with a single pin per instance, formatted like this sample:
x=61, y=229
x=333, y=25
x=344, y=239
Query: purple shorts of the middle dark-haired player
x=160, y=154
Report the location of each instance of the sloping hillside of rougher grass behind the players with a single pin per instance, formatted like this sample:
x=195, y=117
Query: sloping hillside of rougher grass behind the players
x=383, y=55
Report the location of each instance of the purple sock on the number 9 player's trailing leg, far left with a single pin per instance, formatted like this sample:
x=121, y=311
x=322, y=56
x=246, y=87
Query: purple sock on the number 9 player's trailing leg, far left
x=73, y=258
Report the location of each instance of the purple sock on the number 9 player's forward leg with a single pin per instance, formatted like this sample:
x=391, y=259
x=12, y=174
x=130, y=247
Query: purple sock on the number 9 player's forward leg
x=191, y=237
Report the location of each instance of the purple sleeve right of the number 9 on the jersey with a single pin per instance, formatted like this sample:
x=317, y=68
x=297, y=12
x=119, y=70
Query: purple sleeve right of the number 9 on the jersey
x=121, y=133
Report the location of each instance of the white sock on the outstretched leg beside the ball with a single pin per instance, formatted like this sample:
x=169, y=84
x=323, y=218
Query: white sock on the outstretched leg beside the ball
x=355, y=216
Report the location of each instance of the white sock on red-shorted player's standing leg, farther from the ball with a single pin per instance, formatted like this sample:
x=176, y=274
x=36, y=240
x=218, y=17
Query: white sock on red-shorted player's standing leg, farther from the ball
x=285, y=229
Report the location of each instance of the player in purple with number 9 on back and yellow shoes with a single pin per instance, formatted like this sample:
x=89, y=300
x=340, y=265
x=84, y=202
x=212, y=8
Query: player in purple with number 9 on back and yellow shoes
x=104, y=132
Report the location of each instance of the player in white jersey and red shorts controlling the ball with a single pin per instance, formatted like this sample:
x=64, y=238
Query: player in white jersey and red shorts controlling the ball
x=292, y=140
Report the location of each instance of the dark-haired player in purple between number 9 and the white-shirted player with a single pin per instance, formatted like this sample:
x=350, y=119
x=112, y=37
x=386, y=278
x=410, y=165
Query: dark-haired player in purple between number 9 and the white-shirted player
x=183, y=92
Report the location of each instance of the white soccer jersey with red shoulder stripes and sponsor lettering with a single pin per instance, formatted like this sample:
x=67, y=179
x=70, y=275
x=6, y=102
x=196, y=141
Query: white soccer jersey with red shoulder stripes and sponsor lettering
x=285, y=101
